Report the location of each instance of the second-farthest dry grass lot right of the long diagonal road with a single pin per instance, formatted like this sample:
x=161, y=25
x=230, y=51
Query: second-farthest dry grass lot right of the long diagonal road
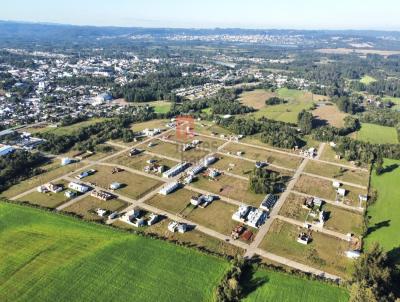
x=355, y=176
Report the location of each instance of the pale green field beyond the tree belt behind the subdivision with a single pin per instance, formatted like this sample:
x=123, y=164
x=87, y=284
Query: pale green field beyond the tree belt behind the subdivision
x=297, y=101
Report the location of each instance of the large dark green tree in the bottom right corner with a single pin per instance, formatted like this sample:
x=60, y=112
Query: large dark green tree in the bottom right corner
x=372, y=277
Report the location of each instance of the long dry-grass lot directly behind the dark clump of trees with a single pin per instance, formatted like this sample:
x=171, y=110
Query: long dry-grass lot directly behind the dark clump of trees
x=255, y=153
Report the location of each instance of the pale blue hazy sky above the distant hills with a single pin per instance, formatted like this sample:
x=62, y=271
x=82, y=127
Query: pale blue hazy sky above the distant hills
x=293, y=14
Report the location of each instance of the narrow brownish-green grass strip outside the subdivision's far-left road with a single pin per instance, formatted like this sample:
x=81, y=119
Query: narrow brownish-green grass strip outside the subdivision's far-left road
x=51, y=171
